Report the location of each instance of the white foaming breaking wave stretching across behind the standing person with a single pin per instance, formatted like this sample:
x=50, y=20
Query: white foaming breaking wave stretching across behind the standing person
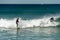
x=41, y=22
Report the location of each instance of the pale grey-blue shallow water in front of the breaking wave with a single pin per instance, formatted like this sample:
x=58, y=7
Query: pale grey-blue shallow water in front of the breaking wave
x=50, y=33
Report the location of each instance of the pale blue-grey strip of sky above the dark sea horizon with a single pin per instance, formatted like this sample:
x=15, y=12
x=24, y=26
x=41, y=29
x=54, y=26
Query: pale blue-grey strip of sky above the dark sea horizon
x=29, y=1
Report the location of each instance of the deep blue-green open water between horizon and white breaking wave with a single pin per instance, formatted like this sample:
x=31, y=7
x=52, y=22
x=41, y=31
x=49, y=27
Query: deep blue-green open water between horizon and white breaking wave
x=26, y=11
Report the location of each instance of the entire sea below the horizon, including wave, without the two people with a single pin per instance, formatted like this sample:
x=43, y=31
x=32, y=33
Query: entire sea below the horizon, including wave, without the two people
x=34, y=22
